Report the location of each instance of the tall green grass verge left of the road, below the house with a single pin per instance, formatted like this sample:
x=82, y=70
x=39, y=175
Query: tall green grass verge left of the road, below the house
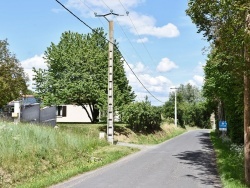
x=37, y=156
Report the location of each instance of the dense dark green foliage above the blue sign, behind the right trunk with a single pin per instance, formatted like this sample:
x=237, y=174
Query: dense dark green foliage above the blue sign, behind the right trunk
x=224, y=87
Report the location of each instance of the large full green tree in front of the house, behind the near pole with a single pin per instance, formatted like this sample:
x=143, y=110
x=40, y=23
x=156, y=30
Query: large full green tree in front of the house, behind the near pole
x=77, y=74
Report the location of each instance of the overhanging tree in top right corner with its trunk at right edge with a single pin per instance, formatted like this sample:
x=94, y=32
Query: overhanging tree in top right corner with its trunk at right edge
x=227, y=24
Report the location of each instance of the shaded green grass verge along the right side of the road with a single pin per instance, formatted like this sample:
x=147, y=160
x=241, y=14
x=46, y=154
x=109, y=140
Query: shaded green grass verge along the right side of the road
x=230, y=161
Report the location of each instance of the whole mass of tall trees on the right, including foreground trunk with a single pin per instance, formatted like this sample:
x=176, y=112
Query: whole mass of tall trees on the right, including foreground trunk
x=226, y=25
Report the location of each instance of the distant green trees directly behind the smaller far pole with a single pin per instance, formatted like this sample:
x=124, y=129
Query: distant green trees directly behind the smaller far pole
x=191, y=108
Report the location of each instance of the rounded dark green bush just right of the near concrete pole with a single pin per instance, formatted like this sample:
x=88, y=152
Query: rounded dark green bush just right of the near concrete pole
x=142, y=116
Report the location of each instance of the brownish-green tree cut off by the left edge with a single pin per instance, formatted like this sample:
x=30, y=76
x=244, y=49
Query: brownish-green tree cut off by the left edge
x=12, y=77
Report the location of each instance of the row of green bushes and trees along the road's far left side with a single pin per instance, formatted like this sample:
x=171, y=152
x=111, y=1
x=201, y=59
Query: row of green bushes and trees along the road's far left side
x=192, y=110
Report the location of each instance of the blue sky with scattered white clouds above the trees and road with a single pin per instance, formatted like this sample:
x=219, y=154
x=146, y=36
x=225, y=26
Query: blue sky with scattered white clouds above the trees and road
x=156, y=38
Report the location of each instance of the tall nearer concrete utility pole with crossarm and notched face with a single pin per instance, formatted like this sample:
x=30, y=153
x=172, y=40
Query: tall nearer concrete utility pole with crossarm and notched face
x=110, y=115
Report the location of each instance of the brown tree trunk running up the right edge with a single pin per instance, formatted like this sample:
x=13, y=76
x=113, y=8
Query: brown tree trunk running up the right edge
x=247, y=102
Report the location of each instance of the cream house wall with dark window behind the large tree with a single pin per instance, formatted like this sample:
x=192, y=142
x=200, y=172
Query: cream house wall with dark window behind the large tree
x=74, y=114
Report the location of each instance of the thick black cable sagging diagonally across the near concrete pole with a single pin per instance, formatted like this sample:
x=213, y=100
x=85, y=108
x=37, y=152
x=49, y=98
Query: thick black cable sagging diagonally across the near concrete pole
x=93, y=30
